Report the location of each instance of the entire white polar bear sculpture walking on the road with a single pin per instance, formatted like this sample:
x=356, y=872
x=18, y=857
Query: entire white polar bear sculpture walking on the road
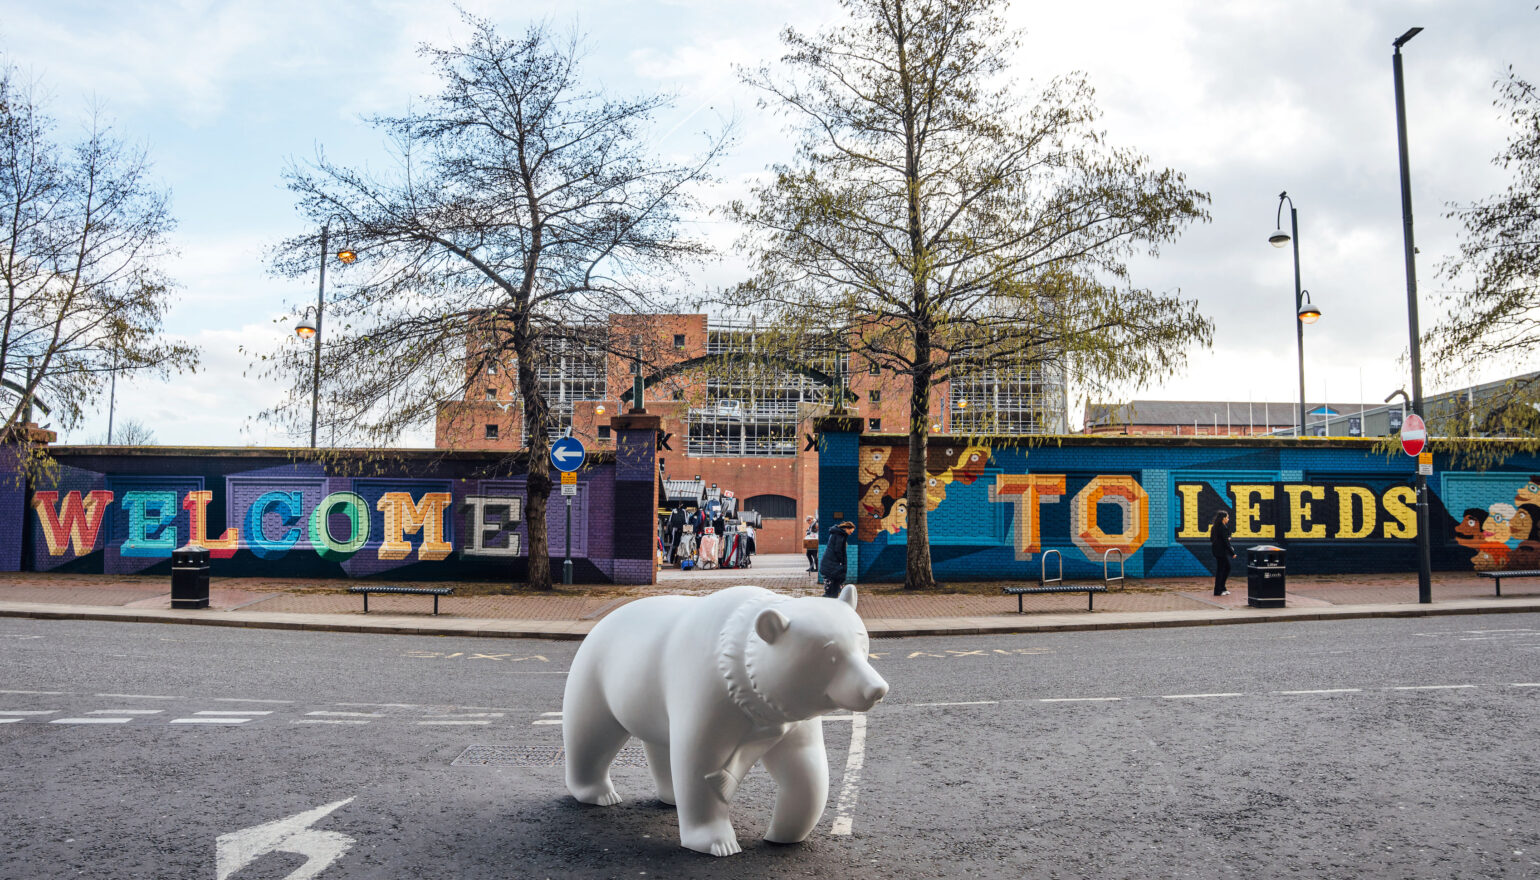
x=712, y=687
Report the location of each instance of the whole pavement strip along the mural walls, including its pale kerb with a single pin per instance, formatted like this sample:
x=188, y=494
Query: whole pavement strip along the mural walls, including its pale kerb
x=889, y=611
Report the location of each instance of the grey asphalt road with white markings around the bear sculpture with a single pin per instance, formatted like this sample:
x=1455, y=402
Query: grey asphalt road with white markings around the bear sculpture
x=1388, y=748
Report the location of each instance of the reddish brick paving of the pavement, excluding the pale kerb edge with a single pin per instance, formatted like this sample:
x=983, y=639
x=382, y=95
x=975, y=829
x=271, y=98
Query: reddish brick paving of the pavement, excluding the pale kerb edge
x=879, y=602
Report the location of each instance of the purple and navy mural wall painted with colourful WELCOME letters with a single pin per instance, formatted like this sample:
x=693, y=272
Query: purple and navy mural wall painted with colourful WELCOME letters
x=413, y=517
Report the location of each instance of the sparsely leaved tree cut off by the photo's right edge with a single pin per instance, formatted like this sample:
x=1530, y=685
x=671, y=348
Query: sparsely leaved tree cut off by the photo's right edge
x=1491, y=317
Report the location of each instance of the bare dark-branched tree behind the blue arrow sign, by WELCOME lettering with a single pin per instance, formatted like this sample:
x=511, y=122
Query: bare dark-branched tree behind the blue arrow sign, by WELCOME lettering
x=524, y=212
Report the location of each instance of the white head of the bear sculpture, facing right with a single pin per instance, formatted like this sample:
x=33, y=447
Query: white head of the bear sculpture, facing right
x=811, y=657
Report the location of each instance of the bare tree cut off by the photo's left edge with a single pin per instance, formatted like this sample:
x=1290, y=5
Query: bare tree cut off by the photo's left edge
x=84, y=235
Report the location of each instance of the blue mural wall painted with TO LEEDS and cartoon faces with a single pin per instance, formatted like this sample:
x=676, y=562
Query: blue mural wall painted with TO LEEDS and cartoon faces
x=1341, y=508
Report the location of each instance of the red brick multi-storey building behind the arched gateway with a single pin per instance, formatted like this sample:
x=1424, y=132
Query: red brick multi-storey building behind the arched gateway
x=732, y=415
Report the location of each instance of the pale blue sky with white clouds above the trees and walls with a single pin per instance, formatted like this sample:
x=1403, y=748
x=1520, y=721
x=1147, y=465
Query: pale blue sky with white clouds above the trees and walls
x=1245, y=98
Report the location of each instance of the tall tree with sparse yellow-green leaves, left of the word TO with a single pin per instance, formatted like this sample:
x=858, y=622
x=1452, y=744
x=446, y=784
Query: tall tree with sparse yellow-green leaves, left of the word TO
x=937, y=220
